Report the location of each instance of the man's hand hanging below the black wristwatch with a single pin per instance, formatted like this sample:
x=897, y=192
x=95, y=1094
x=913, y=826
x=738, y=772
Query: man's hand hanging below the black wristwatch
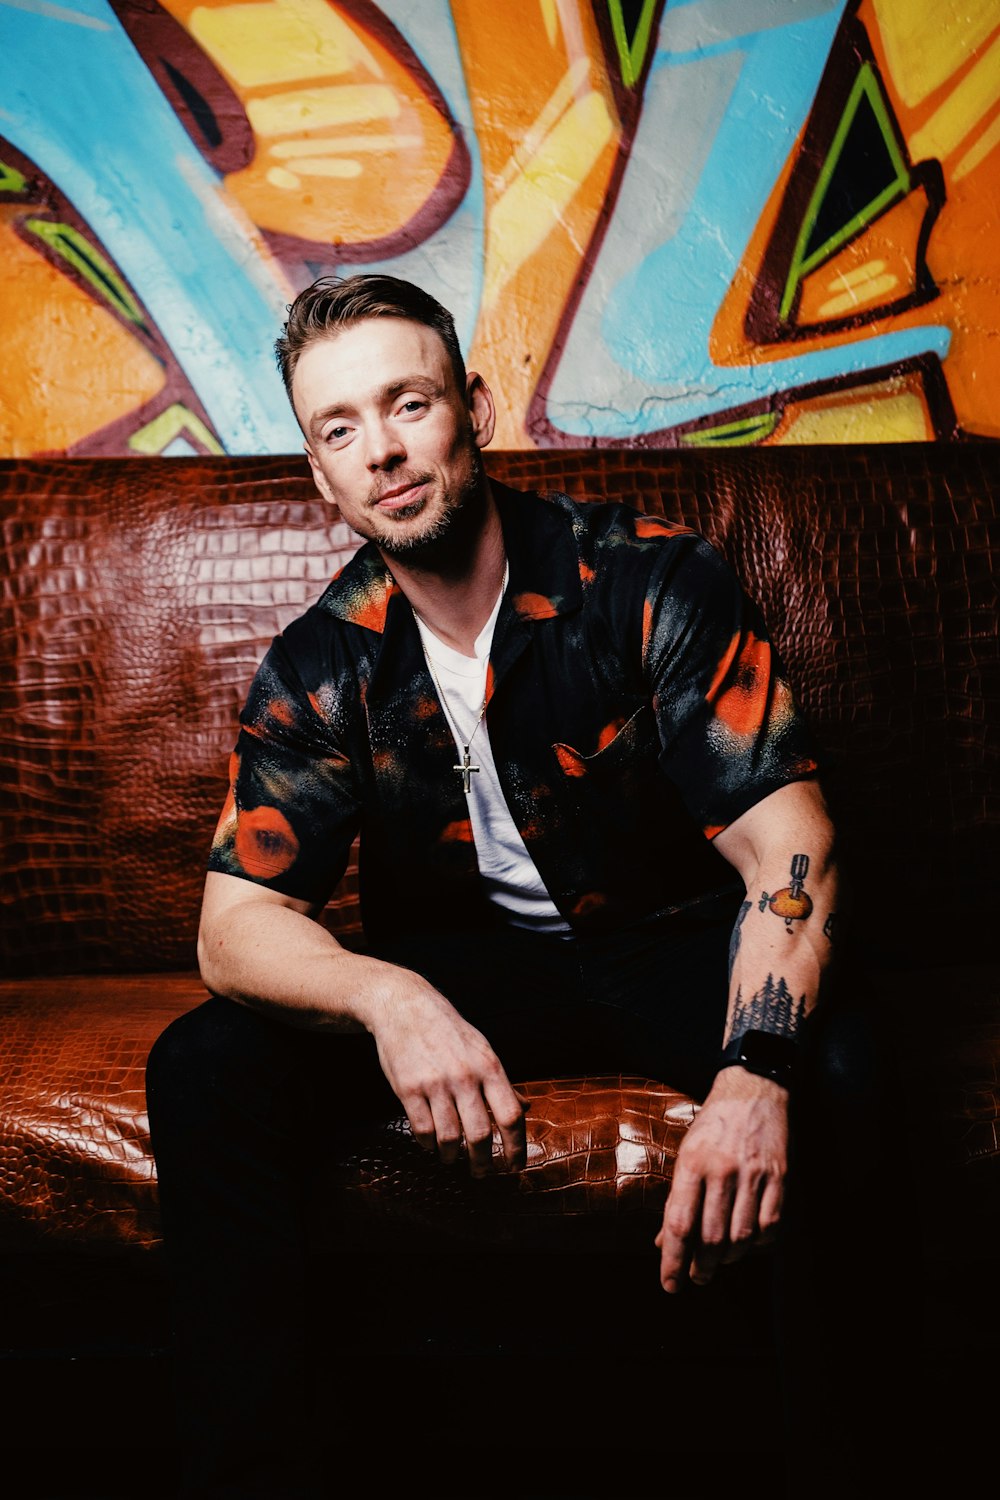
x=728, y=1181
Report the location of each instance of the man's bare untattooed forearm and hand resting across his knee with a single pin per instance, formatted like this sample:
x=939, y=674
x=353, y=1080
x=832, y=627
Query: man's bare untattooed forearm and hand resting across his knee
x=268, y=952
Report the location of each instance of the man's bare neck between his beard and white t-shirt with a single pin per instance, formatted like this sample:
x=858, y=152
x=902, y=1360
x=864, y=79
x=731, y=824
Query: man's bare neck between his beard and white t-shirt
x=457, y=596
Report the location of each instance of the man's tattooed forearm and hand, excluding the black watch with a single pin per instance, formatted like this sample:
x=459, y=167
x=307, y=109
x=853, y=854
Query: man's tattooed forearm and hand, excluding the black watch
x=729, y=1177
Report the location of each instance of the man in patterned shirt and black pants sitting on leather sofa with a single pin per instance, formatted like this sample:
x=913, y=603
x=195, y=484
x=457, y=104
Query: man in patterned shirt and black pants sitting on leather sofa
x=593, y=835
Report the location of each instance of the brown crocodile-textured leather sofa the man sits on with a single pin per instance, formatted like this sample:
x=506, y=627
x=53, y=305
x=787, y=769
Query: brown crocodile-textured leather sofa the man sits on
x=137, y=601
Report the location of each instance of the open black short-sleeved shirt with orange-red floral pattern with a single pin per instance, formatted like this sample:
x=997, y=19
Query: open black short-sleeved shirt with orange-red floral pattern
x=636, y=709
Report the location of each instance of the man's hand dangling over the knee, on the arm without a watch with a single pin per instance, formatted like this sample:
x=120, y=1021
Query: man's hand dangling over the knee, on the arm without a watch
x=446, y=1076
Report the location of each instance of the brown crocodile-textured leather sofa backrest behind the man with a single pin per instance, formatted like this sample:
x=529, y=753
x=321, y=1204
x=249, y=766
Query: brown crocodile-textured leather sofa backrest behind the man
x=139, y=596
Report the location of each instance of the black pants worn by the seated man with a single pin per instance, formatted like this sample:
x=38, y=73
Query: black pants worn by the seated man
x=241, y=1106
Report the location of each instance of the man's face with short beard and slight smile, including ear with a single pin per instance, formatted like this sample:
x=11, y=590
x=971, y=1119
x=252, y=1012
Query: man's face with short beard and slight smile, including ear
x=392, y=440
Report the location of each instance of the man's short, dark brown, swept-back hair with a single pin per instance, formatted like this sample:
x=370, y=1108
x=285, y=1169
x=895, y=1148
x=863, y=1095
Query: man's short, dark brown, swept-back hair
x=338, y=302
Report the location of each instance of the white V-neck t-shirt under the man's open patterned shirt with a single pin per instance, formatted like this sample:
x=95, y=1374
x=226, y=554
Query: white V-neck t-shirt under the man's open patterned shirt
x=507, y=869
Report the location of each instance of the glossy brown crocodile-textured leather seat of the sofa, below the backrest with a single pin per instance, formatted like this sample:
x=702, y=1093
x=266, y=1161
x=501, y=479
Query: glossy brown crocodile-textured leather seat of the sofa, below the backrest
x=77, y=1171
